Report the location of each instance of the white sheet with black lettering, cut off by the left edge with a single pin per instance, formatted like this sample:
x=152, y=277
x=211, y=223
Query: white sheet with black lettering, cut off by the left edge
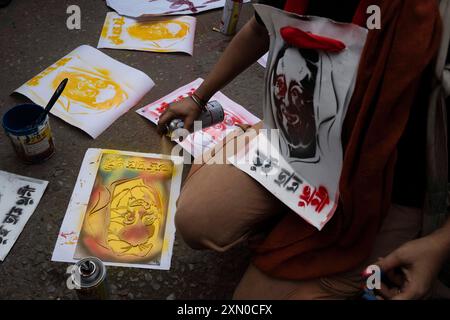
x=19, y=197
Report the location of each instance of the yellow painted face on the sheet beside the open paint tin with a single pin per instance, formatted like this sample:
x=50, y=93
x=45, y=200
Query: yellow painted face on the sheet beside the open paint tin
x=94, y=91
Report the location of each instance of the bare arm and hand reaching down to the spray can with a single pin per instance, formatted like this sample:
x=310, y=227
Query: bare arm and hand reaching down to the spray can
x=247, y=46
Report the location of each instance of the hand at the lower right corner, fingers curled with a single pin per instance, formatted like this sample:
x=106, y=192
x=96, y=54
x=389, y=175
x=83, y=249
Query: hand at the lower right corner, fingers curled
x=413, y=268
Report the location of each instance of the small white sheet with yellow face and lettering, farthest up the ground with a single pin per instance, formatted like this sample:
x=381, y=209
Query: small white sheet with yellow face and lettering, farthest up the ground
x=158, y=35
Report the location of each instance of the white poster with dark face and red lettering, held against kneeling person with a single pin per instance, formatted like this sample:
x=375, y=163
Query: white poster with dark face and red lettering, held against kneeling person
x=307, y=92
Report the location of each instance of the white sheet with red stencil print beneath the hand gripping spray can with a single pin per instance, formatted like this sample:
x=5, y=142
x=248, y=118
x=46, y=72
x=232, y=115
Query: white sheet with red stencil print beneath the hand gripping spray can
x=198, y=142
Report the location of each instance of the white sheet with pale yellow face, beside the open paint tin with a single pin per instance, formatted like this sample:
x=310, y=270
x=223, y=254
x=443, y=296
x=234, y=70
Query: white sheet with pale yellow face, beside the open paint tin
x=99, y=91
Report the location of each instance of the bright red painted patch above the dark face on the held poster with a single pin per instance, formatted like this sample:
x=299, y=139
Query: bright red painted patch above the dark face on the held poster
x=308, y=40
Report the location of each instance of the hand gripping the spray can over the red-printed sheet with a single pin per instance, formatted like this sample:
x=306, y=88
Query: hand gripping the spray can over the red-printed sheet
x=186, y=110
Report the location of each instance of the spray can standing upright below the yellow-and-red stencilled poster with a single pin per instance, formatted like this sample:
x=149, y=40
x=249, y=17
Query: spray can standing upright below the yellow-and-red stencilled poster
x=89, y=278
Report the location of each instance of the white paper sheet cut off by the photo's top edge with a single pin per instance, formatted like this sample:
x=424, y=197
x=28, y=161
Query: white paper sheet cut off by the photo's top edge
x=139, y=8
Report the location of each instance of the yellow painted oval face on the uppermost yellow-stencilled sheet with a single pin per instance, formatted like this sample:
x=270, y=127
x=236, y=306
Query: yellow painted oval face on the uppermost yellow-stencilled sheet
x=159, y=30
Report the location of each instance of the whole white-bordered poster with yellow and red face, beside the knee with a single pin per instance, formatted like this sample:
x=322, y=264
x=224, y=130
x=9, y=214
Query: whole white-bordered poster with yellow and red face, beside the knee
x=122, y=210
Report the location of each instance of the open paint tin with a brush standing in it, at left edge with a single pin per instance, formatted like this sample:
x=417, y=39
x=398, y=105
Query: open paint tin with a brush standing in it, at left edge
x=32, y=141
